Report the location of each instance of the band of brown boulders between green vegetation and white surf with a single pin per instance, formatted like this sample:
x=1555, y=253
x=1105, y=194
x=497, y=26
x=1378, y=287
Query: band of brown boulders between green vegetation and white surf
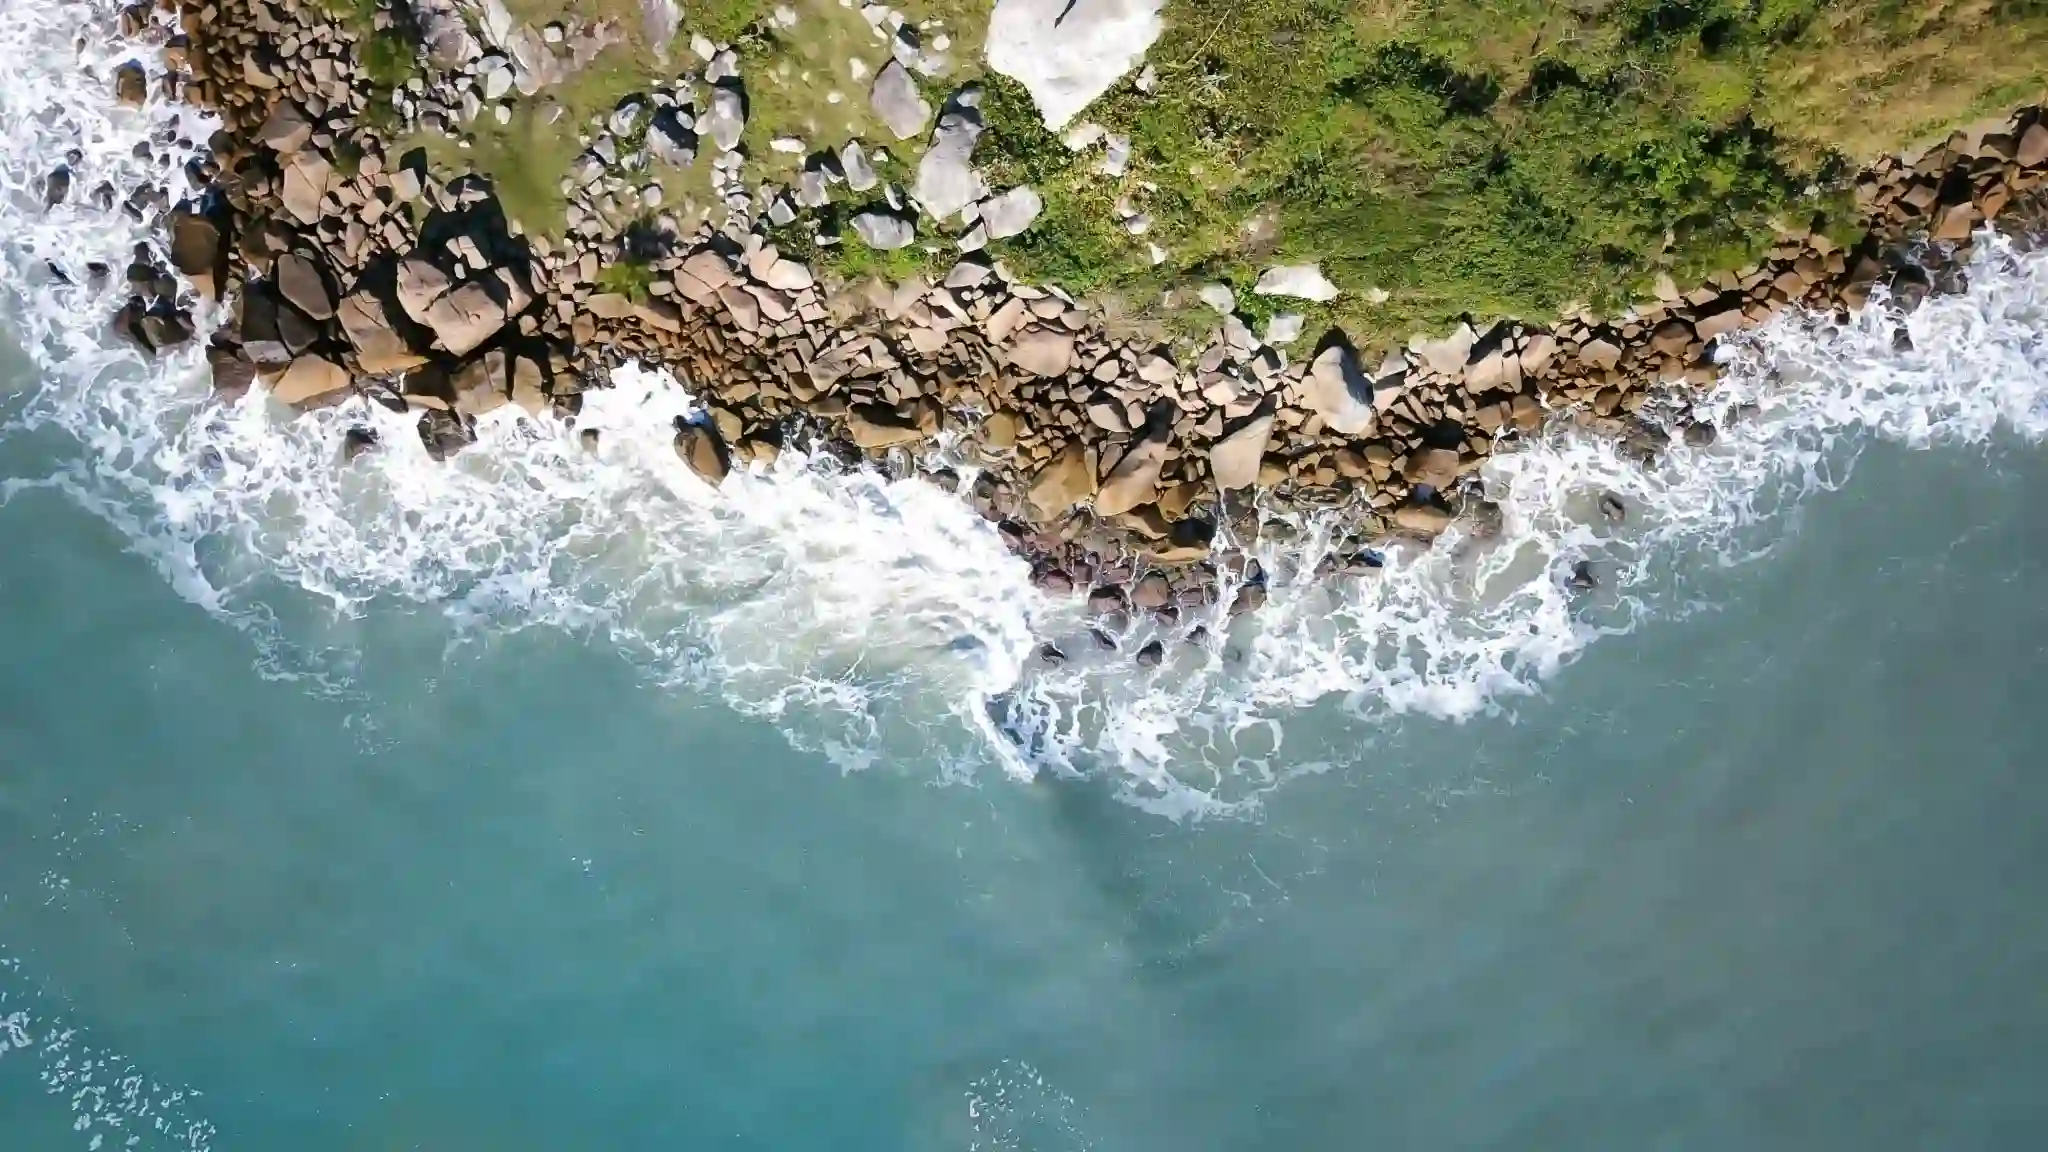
x=1119, y=468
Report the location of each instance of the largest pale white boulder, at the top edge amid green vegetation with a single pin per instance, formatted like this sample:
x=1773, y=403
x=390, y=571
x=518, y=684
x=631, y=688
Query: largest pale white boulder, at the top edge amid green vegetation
x=1070, y=52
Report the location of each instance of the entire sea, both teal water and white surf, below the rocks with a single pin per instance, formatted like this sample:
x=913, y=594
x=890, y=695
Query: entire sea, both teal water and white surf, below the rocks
x=552, y=800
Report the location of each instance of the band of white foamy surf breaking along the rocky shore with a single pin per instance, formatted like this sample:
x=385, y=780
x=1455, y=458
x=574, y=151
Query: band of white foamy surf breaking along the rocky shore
x=880, y=618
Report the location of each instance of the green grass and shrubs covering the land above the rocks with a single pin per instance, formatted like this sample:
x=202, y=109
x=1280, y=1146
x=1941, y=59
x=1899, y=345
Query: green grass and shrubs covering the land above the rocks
x=1459, y=157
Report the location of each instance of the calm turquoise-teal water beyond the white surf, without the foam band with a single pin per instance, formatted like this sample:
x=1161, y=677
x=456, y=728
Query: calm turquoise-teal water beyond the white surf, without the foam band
x=1758, y=878
